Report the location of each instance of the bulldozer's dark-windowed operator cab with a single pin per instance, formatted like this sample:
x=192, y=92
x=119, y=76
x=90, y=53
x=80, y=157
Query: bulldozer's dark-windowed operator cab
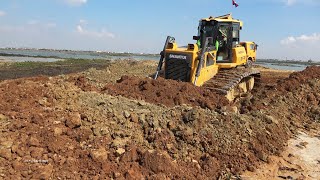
x=224, y=35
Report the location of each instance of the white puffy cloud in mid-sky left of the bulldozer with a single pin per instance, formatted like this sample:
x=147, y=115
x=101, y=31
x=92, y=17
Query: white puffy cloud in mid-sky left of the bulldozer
x=96, y=34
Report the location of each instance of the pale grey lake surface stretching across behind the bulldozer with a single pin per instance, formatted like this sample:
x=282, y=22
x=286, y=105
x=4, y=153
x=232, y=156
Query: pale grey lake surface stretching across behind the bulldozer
x=21, y=55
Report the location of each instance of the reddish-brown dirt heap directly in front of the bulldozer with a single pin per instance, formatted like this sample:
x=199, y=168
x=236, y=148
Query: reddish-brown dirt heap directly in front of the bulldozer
x=166, y=92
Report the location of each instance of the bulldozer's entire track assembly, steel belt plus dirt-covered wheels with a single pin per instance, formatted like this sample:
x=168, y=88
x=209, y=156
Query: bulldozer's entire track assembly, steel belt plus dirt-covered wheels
x=234, y=83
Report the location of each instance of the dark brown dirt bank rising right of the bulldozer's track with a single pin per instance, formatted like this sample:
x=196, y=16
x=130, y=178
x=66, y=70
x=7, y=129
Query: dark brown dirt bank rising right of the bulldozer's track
x=297, y=98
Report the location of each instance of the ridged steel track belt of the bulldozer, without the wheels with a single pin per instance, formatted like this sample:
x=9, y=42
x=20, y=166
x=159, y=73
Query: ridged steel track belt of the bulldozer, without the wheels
x=228, y=79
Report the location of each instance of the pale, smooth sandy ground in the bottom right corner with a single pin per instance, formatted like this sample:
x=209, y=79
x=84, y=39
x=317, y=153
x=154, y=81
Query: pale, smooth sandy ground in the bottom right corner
x=300, y=160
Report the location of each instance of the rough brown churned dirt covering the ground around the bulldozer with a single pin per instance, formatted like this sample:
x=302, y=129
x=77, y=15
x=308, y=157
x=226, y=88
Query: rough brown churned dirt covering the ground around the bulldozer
x=117, y=123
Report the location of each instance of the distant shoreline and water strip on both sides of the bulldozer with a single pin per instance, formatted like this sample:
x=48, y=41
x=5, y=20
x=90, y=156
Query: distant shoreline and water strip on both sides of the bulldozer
x=18, y=54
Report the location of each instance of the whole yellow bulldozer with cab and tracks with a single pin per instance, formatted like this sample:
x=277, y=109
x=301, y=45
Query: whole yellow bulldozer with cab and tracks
x=218, y=60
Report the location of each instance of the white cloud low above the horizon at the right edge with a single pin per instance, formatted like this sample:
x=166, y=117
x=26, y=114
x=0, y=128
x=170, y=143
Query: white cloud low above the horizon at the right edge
x=315, y=37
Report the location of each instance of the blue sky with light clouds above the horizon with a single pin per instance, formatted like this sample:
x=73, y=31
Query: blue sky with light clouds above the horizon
x=283, y=29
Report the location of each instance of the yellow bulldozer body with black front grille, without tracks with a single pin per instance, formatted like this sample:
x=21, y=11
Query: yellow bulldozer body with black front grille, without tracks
x=182, y=63
